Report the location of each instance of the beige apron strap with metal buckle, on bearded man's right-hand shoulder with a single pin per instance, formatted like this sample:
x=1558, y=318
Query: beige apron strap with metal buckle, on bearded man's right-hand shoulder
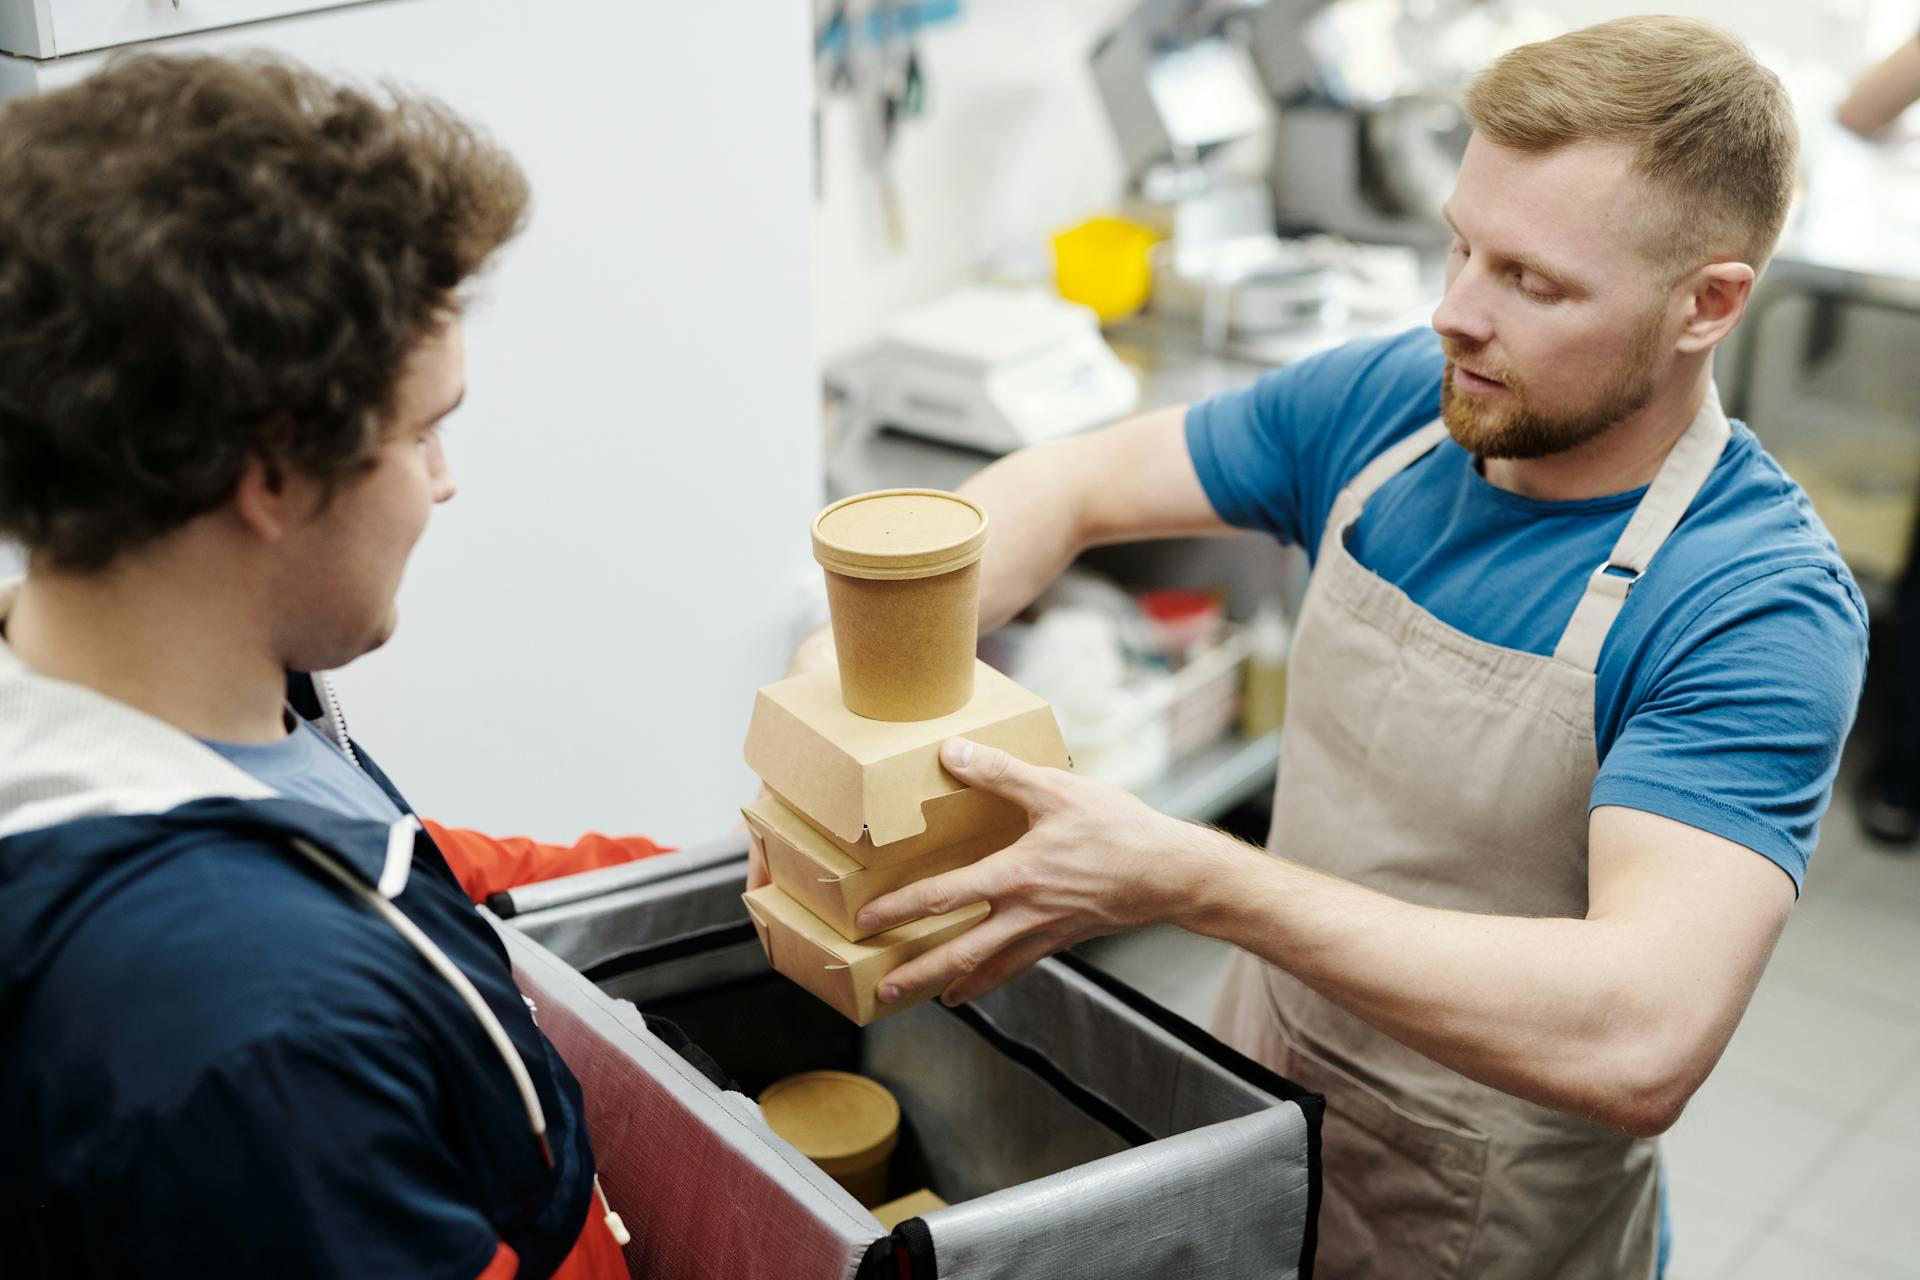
x=1673, y=490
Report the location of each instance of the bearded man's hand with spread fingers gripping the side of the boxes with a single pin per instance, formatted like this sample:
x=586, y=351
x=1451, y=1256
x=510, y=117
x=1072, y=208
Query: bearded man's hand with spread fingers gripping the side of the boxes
x=1095, y=861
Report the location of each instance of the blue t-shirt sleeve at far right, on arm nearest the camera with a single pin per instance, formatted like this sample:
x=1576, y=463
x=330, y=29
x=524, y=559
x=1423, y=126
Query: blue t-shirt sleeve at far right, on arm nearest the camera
x=1740, y=724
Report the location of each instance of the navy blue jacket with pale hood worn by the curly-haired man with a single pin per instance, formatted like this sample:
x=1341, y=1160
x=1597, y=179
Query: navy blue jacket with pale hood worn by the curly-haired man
x=218, y=1062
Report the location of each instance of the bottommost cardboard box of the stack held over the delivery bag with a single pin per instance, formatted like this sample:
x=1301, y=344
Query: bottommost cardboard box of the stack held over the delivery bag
x=840, y=972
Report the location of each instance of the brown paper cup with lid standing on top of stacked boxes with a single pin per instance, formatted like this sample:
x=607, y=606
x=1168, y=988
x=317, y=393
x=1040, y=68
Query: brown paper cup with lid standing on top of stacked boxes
x=903, y=588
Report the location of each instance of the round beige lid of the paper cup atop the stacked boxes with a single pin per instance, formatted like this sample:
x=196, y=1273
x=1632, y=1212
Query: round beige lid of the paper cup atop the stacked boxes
x=896, y=534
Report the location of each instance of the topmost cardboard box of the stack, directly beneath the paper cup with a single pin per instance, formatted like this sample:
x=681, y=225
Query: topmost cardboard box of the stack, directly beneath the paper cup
x=880, y=780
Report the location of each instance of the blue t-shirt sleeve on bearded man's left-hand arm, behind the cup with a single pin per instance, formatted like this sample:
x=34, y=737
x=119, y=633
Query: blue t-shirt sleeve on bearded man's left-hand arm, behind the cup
x=1274, y=456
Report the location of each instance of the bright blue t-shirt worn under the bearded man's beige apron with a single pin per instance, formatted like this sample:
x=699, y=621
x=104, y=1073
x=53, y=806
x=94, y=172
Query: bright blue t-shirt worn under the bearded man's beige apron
x=1729, y=680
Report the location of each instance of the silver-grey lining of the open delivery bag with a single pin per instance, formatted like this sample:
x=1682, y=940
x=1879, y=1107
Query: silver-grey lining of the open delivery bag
x=1136, y=1145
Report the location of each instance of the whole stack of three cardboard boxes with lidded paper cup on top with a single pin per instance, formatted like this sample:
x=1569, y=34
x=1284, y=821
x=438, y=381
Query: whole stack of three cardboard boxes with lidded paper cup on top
x=859, y=803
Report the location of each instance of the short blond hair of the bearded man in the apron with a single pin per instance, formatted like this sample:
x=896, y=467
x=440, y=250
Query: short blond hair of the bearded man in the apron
x=1712, y=130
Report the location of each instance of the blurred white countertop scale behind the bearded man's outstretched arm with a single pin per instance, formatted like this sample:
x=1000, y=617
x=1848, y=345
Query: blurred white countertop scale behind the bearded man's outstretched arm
x=997, y=369
